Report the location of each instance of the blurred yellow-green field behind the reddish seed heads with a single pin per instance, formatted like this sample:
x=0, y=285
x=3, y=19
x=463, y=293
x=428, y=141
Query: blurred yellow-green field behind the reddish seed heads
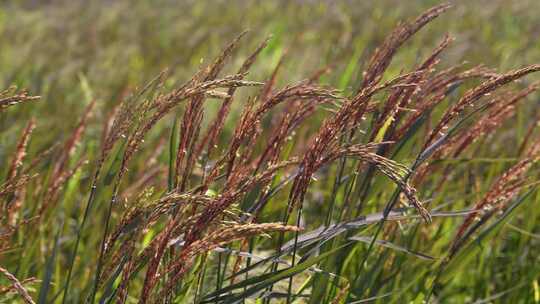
x=56, y=49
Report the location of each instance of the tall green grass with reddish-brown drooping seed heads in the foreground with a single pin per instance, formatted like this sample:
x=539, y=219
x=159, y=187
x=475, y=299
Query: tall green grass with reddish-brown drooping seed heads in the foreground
x=385, y=190
